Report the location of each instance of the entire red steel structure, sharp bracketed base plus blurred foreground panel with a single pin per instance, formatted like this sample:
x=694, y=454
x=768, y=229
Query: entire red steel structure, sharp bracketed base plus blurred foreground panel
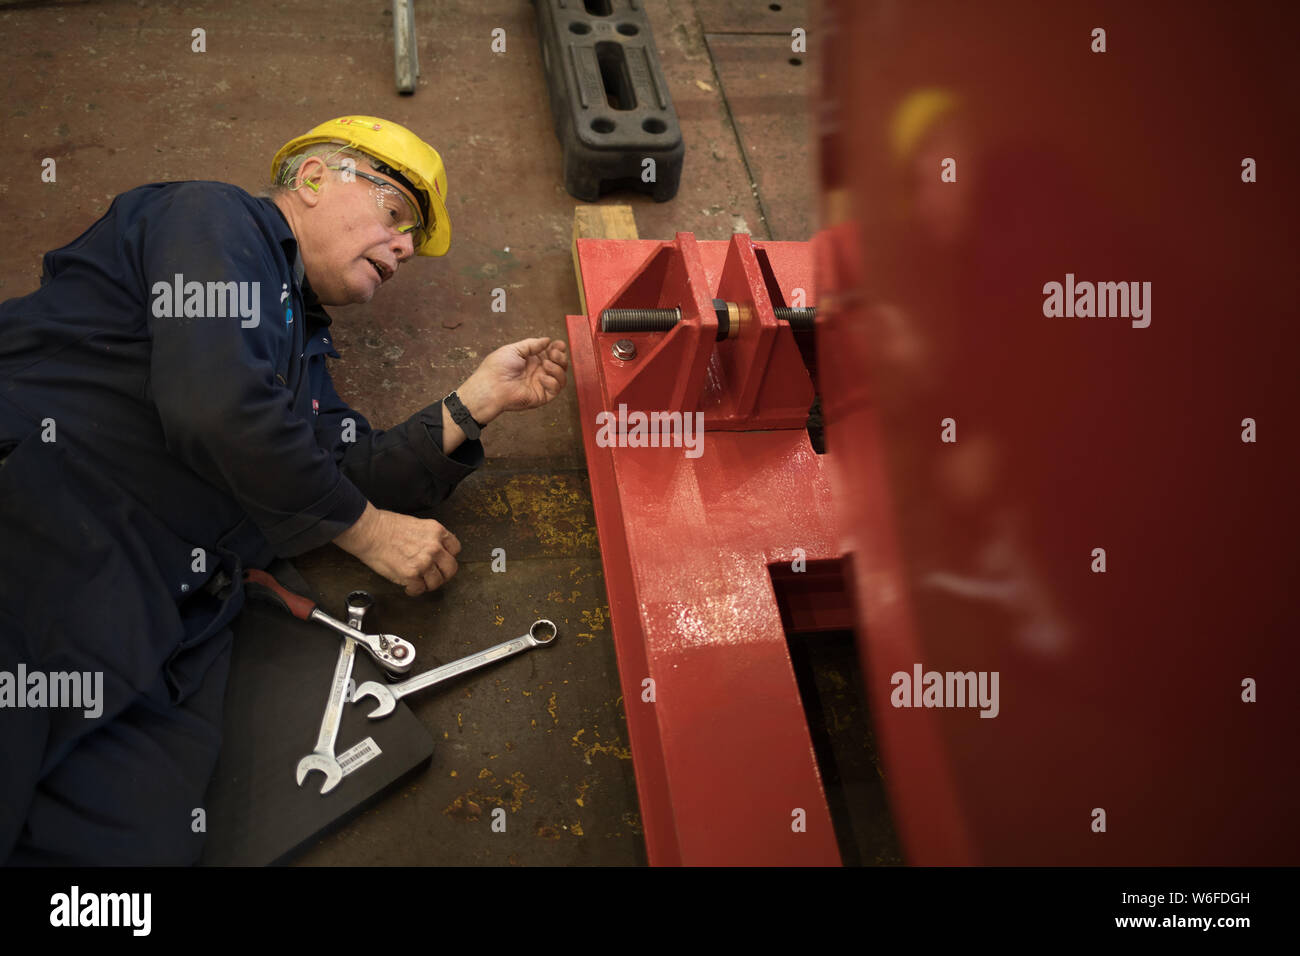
x=1098, y=511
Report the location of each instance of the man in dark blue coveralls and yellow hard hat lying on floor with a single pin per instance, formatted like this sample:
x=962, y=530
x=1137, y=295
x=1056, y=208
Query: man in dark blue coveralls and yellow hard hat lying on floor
x=167, y=421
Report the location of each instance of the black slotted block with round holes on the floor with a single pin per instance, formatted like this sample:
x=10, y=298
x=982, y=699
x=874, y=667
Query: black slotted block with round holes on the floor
x=610, y=100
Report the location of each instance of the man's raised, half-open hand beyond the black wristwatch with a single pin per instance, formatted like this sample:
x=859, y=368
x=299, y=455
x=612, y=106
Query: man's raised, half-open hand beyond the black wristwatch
x=515, y=378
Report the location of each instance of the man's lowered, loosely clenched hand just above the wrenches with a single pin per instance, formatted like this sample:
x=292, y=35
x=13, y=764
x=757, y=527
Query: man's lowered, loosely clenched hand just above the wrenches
x=417, y=553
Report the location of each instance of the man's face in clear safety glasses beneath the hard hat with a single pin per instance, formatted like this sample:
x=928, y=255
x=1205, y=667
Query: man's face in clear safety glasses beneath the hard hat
x=349, y=231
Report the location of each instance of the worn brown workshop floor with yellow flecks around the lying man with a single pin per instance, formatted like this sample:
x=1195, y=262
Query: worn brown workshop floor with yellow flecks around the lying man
x=116, y=96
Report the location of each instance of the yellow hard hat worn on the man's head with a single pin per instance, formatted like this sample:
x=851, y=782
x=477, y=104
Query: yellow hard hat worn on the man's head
x=409, y=159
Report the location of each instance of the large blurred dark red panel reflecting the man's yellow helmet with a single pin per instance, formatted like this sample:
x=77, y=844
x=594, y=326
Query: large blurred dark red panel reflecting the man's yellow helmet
x=1123, y=690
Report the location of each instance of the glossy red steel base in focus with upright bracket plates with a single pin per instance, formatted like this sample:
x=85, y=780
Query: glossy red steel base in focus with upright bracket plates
x=723, y=756
